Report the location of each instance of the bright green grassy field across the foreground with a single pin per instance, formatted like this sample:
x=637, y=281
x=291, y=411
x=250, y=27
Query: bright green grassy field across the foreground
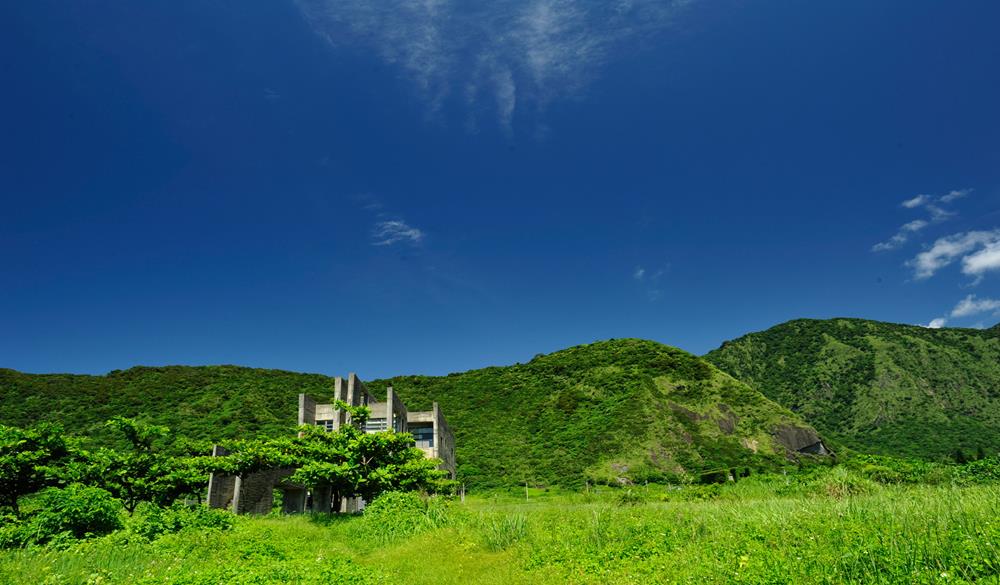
x=888, y=535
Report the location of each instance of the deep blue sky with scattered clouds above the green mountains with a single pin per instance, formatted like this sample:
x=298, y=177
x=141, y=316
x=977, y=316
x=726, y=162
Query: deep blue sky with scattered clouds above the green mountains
x=399, y=187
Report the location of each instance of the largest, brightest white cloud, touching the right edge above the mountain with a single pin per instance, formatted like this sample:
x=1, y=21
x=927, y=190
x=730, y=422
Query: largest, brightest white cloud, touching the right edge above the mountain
x=979, y=251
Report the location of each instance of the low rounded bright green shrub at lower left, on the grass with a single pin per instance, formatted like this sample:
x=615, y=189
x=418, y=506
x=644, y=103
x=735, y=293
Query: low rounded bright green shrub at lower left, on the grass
x=76, y=511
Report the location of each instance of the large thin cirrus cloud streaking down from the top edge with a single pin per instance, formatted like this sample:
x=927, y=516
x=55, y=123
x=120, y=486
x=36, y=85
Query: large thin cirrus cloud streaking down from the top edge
x=501, y=55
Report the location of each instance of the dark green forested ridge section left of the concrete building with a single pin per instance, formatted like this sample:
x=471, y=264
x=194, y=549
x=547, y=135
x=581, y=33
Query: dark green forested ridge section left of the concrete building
x=208, y=402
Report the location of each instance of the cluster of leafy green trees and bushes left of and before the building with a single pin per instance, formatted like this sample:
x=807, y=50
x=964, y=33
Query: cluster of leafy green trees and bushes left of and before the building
x=54, y=492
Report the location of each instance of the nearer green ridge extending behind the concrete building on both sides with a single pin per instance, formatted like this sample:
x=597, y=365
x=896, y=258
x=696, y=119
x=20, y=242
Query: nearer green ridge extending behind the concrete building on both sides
x=621, y=410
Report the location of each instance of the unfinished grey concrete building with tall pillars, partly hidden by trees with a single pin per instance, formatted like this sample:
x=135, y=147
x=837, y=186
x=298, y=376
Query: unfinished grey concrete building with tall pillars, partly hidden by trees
x=254, y=494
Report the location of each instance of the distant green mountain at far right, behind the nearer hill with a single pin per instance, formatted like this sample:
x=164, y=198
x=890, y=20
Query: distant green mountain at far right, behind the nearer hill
x=879, y=387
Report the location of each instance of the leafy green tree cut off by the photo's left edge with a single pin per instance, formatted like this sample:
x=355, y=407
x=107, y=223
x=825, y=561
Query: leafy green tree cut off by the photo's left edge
x=28, y=460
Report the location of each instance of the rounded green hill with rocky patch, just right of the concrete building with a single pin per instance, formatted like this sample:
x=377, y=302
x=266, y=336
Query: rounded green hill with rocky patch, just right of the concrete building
x=614, y=411
